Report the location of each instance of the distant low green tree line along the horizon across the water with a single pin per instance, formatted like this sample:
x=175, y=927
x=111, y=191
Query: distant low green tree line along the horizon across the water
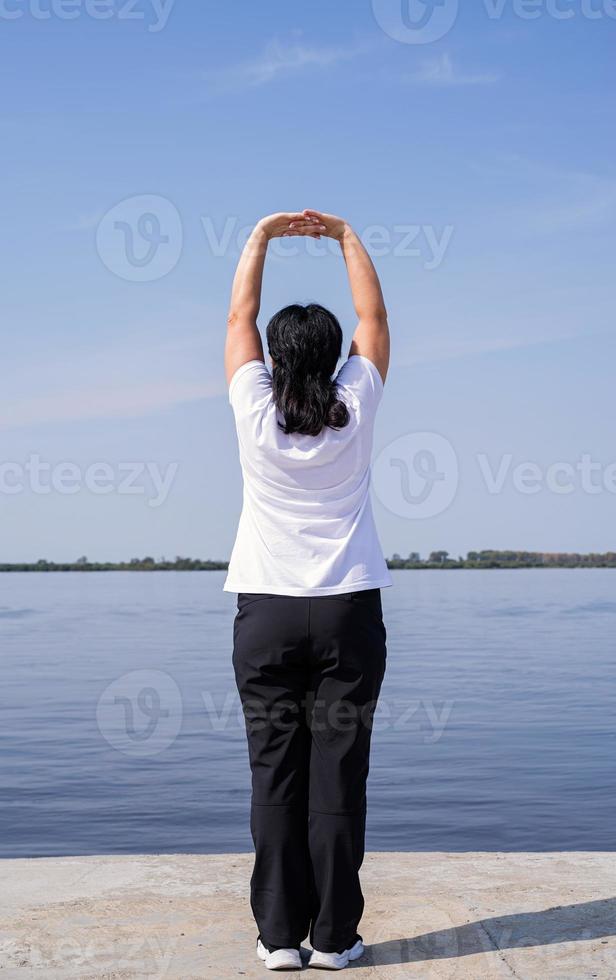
x=436, y=559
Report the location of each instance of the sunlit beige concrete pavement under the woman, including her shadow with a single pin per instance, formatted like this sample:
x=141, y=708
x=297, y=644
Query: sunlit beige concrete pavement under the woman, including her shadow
x=187, y=917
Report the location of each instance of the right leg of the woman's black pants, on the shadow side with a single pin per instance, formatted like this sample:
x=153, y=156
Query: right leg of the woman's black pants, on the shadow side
x=348, y=650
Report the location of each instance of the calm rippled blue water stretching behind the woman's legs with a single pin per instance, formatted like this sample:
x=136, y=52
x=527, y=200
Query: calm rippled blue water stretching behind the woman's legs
x=497, y=727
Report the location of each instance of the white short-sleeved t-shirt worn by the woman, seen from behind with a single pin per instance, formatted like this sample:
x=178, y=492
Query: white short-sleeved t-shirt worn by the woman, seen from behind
x=306, y=526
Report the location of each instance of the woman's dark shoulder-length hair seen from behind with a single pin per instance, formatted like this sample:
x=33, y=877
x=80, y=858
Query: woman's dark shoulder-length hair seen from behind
x=305, y=344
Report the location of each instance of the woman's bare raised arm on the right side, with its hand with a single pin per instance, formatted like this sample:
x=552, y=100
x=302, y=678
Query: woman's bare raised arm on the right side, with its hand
x=371, y=337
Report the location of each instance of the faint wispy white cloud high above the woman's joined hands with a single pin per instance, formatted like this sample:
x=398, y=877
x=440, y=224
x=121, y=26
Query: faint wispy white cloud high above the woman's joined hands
x=280, y=59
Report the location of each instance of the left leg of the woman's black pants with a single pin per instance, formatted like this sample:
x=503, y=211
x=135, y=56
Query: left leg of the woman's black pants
x=270, y=658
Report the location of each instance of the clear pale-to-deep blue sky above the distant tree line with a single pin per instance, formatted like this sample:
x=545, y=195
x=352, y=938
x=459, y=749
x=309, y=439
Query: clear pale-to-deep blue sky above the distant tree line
x=479, y=164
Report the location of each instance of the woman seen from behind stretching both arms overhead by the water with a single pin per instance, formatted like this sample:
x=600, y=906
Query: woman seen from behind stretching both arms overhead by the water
x=309, y=640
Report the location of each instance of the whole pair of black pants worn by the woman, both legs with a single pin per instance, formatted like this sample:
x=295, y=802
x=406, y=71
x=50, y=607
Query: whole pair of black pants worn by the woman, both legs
x=309, y=672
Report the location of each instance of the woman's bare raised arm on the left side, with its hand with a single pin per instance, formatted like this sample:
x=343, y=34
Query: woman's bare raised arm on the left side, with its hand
x=243, y=339
